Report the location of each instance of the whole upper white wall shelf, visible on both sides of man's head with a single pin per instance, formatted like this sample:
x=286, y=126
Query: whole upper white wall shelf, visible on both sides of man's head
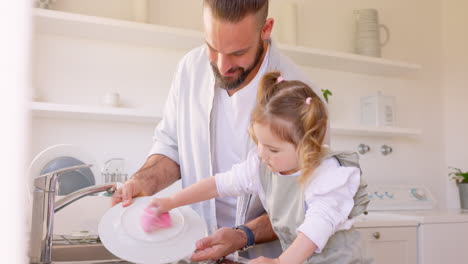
x=107, y=29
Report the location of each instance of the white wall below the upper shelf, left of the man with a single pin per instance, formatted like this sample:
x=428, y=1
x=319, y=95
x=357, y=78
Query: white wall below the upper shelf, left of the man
x=82, y=71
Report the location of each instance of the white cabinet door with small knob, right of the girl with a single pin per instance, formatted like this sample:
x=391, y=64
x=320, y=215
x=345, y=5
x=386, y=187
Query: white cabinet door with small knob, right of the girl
x=390, y=245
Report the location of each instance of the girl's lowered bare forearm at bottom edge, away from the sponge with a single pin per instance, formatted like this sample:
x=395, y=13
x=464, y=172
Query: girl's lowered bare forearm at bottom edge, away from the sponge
x=297, y=253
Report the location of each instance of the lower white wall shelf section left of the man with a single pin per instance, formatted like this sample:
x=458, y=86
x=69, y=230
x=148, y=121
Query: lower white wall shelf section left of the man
x=85, y=112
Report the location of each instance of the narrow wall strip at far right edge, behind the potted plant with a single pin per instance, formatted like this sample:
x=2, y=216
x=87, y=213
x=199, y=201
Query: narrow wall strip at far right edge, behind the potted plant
x=455, y=89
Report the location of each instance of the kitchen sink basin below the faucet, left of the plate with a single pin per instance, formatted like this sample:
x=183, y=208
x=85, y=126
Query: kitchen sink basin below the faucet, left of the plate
x=85, y=253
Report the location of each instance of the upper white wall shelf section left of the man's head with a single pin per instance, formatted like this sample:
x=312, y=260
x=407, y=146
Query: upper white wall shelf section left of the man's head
x=113, y=30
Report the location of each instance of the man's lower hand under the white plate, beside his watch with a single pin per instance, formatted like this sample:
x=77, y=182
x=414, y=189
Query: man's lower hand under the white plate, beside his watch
x=222, y=243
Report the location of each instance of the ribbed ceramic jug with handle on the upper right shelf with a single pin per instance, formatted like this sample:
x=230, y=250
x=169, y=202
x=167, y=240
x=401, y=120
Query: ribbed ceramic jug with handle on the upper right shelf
x=367, y=39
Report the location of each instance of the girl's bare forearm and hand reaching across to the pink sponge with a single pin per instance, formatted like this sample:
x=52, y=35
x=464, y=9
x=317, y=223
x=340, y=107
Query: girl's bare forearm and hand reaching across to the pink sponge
x=198, y=192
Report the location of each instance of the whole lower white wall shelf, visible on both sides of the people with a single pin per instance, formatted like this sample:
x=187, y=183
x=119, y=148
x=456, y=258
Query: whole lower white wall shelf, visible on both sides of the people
x=52, y=110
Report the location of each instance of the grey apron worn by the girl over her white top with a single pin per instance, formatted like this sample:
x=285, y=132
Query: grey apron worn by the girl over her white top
x=285, y=205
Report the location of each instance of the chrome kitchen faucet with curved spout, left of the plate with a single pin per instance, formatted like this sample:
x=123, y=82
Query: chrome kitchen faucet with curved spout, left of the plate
x=44, y=207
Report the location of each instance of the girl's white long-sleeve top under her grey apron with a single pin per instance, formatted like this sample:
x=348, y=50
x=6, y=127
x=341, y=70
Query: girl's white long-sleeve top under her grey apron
x=328, y=194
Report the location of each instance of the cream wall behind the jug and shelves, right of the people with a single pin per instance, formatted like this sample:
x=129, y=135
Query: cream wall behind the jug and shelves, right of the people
x=415, y=28
